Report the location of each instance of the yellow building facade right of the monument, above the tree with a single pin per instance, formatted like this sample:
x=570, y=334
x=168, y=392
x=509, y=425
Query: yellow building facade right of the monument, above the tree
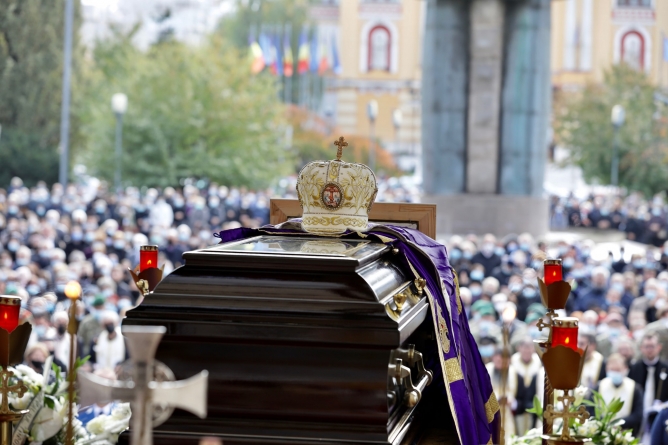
x=590, y=36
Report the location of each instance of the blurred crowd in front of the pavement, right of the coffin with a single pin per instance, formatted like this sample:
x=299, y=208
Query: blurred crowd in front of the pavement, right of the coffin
x=621, y=304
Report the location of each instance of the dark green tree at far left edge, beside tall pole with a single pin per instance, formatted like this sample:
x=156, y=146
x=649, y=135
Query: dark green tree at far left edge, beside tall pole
x=31, y=48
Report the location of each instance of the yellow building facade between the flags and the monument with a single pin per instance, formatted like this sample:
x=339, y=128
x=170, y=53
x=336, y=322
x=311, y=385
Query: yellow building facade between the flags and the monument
x=380, y=56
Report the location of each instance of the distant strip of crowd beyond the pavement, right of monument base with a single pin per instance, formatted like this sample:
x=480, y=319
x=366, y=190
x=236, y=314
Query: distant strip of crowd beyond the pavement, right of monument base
x=642, y=220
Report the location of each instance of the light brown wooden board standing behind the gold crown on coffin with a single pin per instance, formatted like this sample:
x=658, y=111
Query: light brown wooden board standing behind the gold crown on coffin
x=419, y=216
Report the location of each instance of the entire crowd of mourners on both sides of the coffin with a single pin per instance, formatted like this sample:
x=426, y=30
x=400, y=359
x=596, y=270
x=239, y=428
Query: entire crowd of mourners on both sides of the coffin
x=84, y=232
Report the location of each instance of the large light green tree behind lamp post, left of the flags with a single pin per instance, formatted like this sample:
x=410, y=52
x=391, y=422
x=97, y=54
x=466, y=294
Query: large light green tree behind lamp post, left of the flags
x=192, y=111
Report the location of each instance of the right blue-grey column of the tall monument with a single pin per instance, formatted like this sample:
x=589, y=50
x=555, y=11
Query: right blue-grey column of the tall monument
x=526, y=99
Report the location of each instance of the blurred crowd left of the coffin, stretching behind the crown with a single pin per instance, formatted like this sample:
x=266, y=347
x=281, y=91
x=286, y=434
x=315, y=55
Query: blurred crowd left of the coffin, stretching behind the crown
x=87, y=233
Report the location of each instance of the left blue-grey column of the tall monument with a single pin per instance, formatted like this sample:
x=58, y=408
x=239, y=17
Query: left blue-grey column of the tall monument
x=445, y=96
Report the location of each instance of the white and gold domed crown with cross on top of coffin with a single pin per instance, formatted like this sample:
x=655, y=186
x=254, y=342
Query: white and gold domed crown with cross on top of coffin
x=336, y=196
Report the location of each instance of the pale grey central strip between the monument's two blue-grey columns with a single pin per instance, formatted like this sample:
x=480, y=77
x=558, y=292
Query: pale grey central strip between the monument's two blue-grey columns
x=486, y=62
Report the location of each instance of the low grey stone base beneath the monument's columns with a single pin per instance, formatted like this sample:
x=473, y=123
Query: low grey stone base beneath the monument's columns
x=489, y=213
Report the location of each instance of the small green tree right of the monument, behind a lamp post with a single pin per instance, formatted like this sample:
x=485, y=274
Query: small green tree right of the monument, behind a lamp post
x=582, y=123
